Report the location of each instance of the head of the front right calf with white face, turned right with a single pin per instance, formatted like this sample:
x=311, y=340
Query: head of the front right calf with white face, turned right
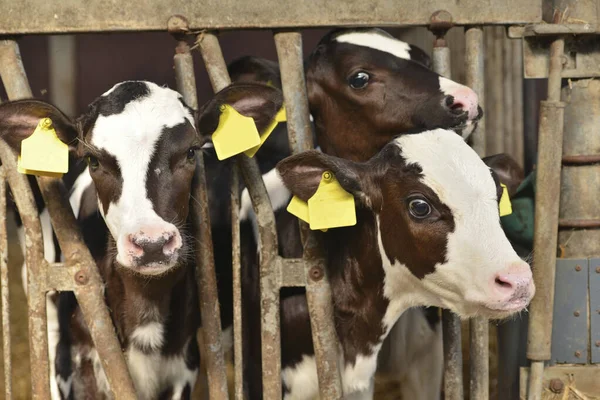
x=438, y=226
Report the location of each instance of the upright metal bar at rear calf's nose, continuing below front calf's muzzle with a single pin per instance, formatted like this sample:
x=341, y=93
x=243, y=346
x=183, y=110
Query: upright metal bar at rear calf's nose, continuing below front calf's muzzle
x=479, y=327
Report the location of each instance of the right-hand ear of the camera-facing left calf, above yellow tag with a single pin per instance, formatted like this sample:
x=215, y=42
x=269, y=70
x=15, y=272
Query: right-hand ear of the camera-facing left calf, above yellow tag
x=261, y=102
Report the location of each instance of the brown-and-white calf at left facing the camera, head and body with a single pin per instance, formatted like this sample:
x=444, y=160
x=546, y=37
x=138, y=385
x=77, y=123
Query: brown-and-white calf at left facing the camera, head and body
x=140, y=142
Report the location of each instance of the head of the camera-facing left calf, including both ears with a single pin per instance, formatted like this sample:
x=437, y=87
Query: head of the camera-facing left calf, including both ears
x=140, y=141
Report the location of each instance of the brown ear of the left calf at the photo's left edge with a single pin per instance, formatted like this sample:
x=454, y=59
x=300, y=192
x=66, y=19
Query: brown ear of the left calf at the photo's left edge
x=18, y=120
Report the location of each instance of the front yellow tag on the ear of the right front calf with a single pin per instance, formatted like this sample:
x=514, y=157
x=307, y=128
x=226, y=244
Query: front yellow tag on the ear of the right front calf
x=331, y=206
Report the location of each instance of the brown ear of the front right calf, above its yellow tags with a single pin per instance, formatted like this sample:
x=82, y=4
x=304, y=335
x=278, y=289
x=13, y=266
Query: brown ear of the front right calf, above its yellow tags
x=302, y=173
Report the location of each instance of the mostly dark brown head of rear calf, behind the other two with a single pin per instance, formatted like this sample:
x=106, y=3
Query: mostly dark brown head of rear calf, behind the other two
x=372, y=86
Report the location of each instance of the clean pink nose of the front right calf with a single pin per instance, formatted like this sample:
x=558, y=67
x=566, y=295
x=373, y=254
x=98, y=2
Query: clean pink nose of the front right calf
x=514, y=284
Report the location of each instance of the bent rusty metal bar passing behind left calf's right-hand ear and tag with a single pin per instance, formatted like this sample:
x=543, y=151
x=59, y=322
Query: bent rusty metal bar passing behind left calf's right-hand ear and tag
x=267, y=238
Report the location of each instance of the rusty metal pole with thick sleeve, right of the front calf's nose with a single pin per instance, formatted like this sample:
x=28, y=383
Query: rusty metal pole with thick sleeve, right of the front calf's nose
x=547, y=203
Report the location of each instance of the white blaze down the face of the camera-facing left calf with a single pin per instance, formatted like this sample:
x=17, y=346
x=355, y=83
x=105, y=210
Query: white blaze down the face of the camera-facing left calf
x=131, y=137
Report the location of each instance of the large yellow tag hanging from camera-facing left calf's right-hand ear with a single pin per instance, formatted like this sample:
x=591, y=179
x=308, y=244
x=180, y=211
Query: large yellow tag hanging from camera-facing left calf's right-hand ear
x=235, y=134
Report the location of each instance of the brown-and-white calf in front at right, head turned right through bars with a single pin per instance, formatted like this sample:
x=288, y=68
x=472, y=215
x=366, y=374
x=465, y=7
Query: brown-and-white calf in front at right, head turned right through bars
x=428, y=234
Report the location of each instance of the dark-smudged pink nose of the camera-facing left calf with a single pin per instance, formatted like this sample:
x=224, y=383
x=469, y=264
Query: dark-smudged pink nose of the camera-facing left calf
x=155, y=248
